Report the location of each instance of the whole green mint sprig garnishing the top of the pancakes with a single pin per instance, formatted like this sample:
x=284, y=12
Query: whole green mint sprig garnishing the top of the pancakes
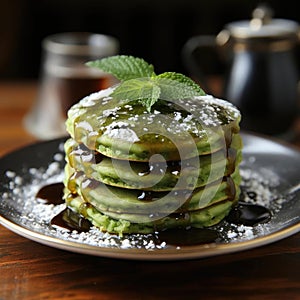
x=140, y=83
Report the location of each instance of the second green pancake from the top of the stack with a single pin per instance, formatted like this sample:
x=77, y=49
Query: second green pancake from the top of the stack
x=155, y=176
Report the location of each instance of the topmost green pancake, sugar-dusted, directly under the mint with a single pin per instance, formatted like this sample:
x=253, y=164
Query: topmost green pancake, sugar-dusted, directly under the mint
x=173, y=130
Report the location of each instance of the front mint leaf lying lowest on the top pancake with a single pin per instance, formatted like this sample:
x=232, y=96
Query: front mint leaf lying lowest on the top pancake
x=143, y=90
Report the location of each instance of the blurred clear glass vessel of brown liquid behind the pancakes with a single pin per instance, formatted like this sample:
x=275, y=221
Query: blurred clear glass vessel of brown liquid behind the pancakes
x=65, y=79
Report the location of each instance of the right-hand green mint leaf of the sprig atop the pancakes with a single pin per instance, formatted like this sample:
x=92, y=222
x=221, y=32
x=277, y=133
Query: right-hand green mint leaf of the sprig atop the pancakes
x=177, y=86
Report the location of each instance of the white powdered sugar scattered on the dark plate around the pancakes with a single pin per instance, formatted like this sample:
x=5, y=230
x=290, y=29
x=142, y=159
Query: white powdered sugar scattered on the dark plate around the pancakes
x=18, y=200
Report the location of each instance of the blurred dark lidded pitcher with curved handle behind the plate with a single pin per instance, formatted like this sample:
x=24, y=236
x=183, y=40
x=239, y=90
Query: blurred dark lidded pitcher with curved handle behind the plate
x=262, y=77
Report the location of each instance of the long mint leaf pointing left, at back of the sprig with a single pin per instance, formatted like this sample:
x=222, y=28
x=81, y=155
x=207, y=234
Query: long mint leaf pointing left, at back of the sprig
x=124, y=67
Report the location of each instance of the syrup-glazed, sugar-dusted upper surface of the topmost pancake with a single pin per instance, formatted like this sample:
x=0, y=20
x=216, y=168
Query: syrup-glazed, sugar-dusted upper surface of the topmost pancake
x=194, y=115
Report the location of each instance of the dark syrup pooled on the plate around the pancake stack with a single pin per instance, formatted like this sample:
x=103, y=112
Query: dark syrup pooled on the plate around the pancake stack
x=247, y=214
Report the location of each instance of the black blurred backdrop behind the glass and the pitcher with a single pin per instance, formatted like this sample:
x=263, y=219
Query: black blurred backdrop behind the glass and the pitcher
x=153, y=29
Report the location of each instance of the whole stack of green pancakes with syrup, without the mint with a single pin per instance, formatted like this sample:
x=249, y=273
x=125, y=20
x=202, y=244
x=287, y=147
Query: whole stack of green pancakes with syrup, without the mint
x=131, y=170
